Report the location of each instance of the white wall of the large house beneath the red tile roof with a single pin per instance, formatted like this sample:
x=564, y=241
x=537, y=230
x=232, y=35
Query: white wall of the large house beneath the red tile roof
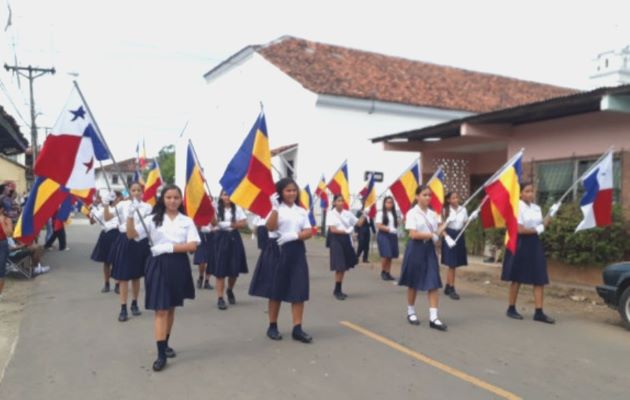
x=326, y=134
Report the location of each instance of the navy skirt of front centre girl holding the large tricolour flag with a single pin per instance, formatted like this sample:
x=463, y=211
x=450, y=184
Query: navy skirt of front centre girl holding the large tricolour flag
x=282, y=273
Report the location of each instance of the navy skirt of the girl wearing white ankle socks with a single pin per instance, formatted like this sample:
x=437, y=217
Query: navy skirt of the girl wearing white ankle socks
x=420, y=269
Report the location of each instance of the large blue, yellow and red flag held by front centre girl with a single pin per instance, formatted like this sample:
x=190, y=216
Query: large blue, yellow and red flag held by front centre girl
x=247, y=178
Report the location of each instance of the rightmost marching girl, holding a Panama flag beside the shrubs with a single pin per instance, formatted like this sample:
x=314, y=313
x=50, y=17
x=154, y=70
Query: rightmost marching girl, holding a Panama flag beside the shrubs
x=528, y=265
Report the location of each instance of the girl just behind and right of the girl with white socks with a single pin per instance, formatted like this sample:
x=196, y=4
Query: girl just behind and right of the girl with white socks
x=455, y=218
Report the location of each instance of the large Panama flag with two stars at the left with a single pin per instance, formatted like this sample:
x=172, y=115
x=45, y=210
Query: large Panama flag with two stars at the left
x=73, y=147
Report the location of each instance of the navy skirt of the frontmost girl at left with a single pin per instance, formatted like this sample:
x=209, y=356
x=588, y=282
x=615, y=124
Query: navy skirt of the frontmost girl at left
x=168, y=281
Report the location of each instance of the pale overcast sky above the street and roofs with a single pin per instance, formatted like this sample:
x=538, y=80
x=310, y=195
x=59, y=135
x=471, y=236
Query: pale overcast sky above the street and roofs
x=140, y=62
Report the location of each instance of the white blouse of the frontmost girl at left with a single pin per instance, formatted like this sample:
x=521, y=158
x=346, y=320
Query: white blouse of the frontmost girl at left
x=179, y=230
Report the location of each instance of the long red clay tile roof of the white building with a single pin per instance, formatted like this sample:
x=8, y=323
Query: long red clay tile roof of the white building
x=340, y=71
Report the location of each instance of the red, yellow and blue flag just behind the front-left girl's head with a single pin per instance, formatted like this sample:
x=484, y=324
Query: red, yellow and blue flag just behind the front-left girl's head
x=196, y=200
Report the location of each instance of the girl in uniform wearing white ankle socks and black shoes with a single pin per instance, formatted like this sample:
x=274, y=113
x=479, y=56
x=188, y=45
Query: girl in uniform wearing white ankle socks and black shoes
x=420, y=268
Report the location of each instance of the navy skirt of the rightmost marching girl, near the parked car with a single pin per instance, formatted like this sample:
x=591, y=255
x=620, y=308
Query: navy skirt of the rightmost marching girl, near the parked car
x=528, y=265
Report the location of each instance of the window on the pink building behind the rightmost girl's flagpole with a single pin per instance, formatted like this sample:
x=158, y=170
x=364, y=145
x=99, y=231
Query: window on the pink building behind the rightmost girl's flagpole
x=553, y=179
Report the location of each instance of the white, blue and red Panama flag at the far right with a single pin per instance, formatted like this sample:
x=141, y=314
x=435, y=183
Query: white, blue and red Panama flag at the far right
x=596, y=204
